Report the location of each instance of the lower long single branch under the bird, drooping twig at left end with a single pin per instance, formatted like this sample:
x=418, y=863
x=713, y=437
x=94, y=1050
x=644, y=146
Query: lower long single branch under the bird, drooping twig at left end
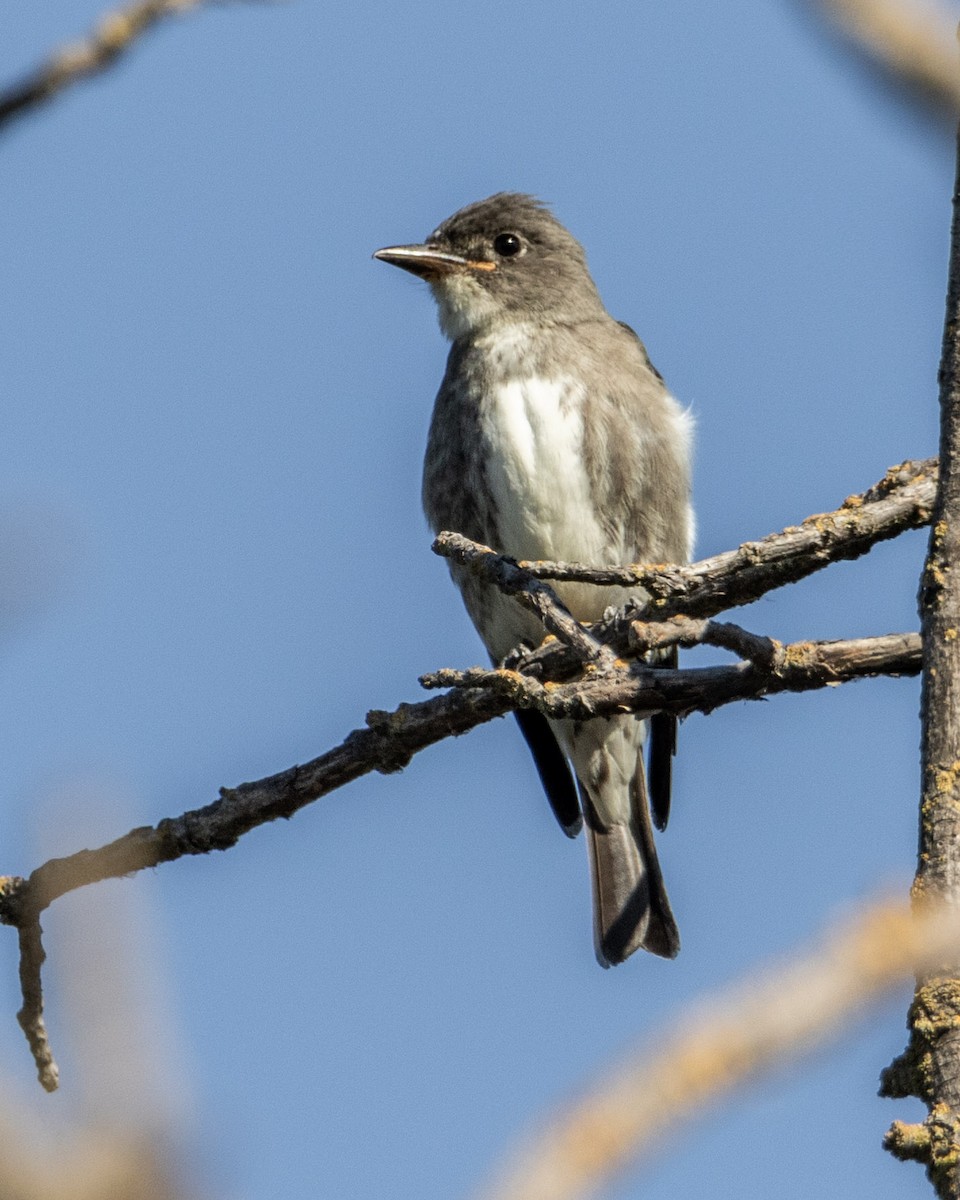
x=393, y=739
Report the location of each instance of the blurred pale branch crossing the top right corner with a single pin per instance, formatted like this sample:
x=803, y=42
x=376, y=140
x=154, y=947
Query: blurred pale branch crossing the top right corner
x=914, y=44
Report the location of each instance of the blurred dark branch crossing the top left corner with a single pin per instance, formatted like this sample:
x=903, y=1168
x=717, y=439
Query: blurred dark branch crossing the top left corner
x=115, y=35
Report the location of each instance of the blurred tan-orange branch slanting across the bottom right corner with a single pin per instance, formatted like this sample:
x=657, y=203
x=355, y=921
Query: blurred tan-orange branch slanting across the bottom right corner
x=722, y=1046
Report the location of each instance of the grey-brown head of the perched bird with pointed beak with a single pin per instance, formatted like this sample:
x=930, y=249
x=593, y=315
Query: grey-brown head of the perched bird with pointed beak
x=502, y=261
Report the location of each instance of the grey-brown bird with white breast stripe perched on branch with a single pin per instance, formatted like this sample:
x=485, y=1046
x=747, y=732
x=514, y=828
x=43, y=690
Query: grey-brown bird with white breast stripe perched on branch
x=554, y=437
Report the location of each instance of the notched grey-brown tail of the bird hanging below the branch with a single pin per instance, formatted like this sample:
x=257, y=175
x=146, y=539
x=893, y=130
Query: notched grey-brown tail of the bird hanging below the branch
x=631, y=905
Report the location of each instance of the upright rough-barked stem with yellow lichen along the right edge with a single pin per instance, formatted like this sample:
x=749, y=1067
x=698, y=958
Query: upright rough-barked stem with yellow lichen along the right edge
x=931, y=1067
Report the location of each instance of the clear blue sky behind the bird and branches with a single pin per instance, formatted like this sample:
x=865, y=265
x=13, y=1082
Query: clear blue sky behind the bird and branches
x=215, y=410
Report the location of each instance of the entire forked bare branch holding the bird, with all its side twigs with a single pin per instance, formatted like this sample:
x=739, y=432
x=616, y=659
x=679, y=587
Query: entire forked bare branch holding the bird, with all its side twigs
x=554, y=679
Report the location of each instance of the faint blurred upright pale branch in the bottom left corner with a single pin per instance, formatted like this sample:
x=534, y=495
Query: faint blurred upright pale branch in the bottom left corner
x=123, y=1132
